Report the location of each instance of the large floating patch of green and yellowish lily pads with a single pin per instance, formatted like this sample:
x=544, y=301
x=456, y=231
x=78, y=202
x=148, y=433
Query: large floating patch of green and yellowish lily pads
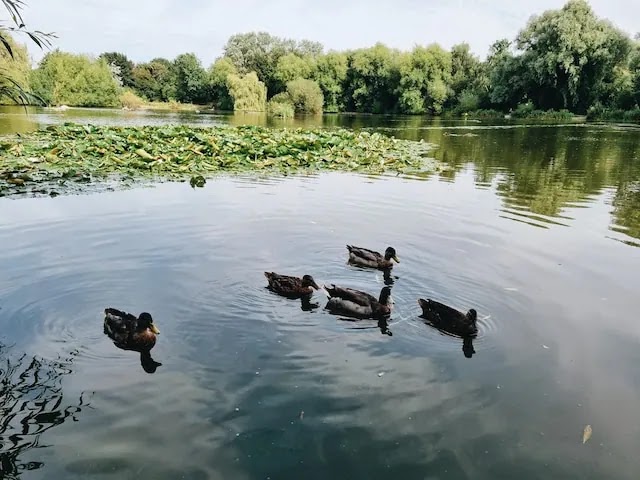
x=55, y=159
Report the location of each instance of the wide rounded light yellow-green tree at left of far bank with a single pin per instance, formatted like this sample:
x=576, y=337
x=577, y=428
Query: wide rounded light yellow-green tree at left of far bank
x=75, y=80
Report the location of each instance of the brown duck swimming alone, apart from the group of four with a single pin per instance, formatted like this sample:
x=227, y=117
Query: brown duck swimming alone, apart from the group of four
x=129, y=332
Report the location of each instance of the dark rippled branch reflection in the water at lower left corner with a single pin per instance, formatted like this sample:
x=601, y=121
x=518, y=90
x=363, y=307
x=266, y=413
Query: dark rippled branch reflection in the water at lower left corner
x=31, y=402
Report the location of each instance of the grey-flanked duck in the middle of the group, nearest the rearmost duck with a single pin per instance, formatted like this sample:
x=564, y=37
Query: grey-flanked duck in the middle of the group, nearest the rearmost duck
x=354, y=303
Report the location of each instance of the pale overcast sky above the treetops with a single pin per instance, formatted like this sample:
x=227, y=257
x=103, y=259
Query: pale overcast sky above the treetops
x=144, y=29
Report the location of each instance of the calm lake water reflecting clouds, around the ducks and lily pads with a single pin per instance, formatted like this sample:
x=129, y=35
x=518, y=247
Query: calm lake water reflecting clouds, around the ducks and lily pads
x=537, y=227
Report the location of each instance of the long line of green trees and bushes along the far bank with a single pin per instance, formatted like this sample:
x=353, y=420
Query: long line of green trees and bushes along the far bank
x=565, y=60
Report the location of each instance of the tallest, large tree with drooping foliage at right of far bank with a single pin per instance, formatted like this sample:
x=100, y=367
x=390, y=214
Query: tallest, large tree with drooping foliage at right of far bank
x=569, y=53
